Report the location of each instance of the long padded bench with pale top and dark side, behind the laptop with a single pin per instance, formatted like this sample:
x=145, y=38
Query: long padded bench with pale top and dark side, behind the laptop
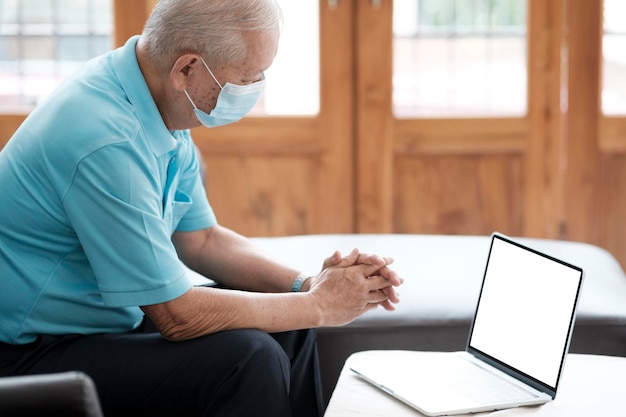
x=443, y=274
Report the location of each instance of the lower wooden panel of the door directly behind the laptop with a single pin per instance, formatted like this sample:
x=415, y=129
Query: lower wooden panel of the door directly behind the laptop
x=458, y=194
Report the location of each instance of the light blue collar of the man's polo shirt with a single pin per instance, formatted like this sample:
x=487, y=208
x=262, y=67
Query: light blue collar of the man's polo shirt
x=134, y=84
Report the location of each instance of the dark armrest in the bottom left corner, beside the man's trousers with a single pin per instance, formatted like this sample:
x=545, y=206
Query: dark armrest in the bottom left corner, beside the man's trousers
x=67, y=394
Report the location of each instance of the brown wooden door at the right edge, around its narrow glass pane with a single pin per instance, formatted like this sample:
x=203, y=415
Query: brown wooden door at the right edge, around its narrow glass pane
x=595, y=187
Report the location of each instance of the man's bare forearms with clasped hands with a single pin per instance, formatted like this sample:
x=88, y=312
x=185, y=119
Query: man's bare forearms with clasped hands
x=340, y=293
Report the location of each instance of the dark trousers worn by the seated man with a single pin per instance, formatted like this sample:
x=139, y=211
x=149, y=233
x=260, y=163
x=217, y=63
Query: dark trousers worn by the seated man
x=232, y=373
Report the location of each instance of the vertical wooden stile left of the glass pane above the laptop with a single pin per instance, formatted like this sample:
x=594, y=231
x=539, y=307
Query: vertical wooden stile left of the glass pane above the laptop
x=374, y=130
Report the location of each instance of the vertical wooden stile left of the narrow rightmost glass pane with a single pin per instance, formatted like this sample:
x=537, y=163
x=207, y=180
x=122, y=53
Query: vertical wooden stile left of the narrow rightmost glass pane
x=583, y=193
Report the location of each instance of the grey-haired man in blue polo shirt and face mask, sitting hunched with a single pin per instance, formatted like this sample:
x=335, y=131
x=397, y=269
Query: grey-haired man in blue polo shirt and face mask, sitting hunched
x=103, y=206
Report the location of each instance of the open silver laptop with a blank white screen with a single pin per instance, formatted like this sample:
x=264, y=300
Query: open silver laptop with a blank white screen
x=517, y=344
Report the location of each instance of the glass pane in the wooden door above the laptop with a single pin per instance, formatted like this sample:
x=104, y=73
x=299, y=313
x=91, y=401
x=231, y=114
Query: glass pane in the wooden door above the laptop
x=456, y=58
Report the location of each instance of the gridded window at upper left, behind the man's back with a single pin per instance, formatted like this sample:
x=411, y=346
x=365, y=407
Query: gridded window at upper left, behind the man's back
x=42, y=41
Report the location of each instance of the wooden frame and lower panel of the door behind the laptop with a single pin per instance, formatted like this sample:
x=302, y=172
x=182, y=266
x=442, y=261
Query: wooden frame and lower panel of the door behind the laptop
x=458, y=175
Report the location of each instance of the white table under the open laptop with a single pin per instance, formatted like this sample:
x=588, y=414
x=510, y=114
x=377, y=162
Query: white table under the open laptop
x=591, y=385
